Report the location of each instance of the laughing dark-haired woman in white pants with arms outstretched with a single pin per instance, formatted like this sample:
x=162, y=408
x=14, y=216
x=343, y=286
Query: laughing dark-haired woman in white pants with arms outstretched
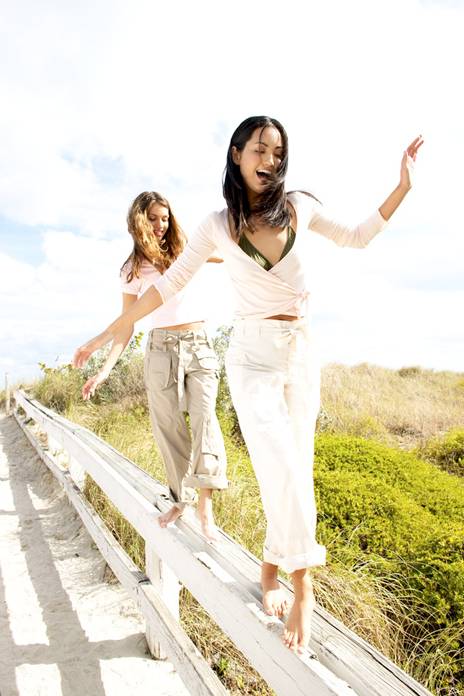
x=271, y=365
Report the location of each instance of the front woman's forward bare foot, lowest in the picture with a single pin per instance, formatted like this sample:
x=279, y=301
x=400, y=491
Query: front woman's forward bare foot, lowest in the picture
x=298, y=626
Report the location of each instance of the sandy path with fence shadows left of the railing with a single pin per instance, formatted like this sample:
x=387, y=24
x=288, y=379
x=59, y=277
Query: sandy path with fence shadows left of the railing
x=63, y=630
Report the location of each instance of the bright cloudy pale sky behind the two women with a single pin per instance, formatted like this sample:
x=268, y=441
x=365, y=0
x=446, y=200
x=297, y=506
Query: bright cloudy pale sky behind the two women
x=103, y=99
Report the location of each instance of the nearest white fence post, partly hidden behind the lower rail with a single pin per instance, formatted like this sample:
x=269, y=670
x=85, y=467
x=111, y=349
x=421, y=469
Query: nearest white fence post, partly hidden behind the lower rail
x=167, y=586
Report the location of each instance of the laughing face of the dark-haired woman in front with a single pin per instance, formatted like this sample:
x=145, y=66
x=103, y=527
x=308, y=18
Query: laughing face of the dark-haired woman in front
x=260, y=157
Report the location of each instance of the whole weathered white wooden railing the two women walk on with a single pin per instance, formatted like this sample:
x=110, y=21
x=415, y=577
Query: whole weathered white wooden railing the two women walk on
x=223, y=577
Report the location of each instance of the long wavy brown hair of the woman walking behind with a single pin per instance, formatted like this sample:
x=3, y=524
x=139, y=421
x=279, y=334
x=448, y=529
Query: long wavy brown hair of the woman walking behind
x=160, y=253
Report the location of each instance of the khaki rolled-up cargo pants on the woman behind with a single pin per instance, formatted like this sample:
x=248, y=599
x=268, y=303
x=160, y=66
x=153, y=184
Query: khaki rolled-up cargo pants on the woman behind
x=181, y=375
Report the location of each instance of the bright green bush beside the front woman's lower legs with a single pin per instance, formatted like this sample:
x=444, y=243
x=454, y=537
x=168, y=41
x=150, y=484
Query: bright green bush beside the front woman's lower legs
x=405, y=519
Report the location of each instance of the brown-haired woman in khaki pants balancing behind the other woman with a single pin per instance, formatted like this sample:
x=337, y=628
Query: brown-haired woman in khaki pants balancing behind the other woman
x=181, y=367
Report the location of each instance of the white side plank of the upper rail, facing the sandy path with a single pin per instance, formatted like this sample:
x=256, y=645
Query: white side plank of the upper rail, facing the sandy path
x=229, y=604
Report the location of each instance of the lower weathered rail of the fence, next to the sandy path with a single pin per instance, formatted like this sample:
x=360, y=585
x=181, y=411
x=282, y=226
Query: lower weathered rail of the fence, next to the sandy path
x=187, y=660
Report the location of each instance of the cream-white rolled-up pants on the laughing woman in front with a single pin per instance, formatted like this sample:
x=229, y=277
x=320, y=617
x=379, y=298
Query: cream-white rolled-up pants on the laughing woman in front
x=273, y=376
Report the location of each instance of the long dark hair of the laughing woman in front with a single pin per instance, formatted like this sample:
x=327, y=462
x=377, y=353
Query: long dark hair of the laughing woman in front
x=271, y=206
